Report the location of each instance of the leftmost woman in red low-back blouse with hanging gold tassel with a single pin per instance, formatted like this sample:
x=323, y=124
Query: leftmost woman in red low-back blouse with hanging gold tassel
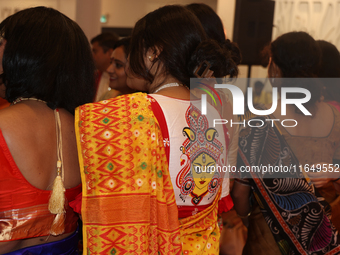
x=47, y=68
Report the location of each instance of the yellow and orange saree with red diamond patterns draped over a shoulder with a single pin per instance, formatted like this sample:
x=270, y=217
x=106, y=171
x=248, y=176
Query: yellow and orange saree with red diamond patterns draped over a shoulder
x=128, y=204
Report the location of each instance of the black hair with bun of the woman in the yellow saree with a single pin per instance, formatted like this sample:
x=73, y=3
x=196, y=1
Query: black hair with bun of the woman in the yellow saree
x=183, y=45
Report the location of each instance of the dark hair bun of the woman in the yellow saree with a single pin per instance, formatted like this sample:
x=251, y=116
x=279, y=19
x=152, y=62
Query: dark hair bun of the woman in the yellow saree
x=220, y=59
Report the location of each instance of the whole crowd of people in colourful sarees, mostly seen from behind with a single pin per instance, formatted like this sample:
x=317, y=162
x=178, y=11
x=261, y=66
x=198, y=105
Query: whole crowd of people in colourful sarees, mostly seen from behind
x=128, y=170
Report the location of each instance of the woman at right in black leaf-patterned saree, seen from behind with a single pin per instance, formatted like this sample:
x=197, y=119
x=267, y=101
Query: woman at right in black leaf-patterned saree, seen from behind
x=285, y=211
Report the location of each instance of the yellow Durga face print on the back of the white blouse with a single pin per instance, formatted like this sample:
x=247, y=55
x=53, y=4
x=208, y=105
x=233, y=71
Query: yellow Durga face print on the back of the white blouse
x=202, y=152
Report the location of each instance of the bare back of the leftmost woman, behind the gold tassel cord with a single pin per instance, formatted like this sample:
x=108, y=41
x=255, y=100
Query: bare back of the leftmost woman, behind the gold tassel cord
x=29, y=130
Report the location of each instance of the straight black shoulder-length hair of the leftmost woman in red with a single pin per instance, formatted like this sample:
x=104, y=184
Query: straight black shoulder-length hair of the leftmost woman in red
x=47, y=56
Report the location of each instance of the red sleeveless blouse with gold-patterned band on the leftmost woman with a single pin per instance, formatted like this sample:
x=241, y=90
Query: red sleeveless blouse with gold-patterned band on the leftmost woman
x=24, y=208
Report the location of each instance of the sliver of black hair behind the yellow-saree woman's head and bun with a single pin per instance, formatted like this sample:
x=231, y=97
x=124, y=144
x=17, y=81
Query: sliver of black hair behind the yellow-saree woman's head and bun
x=214, y=29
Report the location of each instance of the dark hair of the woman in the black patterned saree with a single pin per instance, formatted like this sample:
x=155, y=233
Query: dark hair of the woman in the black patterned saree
x=298, y=55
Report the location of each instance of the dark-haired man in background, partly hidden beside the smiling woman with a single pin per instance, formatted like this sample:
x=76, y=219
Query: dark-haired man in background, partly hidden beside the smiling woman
x=102, y=48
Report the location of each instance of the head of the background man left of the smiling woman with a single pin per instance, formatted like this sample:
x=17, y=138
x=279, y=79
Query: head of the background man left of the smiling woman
x=102, y=47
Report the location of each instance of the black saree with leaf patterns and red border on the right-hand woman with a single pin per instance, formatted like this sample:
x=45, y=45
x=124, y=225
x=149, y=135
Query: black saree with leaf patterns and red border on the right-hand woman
x=297, y=216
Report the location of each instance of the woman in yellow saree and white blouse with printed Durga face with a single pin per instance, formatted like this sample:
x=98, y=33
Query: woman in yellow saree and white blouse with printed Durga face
x=147, y=157
